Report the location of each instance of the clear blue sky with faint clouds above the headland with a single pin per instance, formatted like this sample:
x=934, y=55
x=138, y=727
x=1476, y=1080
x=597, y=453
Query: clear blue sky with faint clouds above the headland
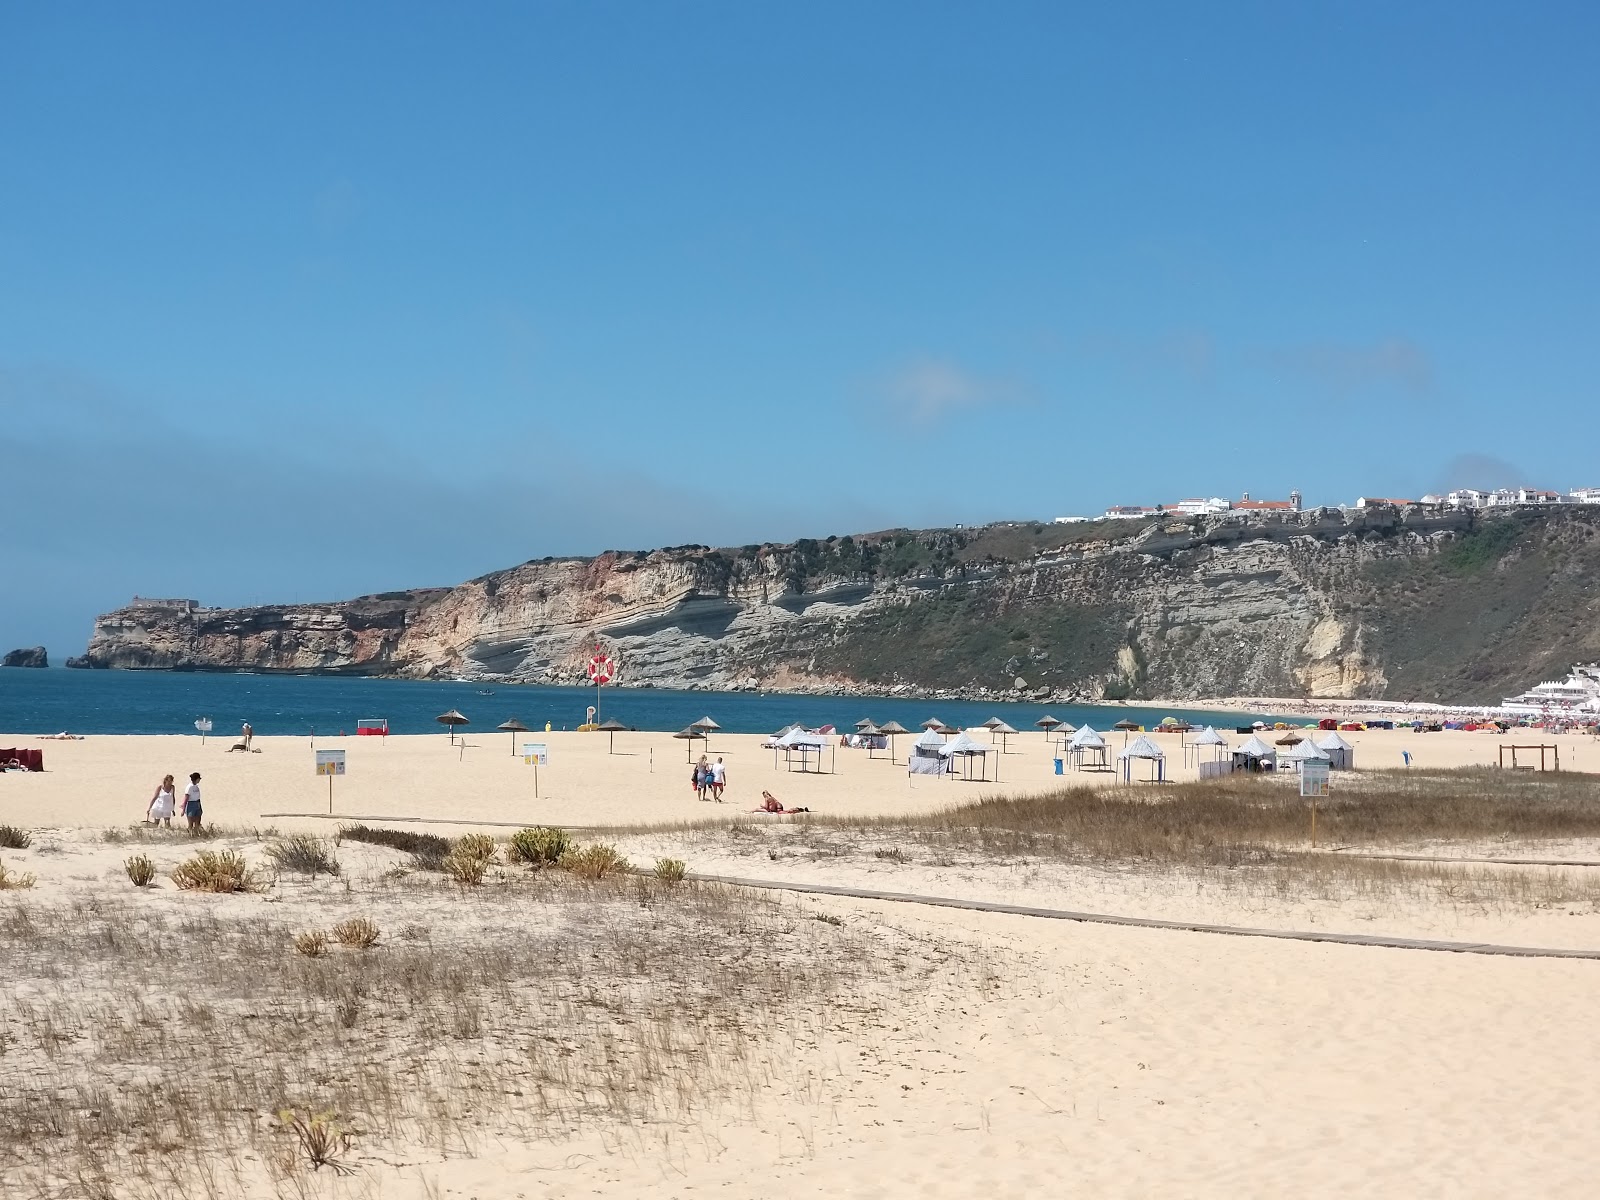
x=302, y=302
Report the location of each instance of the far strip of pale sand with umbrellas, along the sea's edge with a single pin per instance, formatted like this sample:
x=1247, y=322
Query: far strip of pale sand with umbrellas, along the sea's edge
x=110, y=780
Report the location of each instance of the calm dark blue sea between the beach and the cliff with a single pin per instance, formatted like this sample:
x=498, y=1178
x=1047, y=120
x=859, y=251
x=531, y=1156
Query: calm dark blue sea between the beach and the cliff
x=129, y=702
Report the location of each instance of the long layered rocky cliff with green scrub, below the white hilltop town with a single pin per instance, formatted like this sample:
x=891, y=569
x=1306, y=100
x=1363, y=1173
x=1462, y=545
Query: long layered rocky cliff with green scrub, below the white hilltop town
x=1318, y=604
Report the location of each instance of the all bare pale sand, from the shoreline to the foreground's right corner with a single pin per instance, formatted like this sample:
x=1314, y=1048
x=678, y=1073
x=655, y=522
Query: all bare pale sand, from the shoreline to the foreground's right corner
x=1049, y=1058
